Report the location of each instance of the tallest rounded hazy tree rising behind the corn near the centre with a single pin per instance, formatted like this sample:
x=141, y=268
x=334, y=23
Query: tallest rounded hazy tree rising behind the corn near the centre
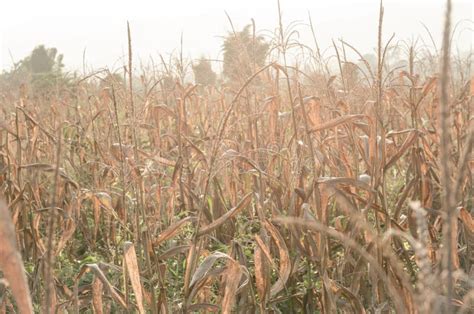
x=243, y=54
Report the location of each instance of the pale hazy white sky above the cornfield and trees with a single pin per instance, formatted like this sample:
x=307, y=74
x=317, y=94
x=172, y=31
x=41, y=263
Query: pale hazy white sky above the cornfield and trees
x=99, y=27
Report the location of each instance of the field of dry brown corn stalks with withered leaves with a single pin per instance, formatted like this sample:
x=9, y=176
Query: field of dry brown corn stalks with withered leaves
x=282, y=191
